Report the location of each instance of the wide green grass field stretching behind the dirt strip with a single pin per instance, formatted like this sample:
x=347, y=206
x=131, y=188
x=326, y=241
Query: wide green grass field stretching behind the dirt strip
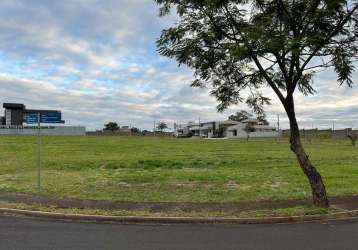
x=169, y=169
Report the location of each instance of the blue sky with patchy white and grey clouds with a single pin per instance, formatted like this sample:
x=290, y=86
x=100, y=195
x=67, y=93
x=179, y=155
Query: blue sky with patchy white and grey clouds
x=97, y=62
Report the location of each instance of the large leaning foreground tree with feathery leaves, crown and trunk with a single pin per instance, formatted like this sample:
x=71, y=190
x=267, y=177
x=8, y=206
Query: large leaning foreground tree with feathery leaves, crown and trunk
x=236, y=45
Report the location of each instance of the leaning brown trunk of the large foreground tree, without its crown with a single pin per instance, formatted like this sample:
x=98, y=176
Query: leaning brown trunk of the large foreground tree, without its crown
x=317, y=186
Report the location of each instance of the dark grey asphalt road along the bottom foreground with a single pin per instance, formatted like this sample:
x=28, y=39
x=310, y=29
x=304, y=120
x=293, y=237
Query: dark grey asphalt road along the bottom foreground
x=25, y=233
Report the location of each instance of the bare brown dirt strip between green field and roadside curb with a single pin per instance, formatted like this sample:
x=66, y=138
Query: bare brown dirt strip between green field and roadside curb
x=346, y=202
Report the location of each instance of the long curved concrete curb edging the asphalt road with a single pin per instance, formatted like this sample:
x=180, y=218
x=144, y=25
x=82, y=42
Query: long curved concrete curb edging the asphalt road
x=179, y=220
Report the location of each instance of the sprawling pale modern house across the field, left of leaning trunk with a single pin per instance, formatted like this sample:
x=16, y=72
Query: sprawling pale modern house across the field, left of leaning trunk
x=225, y=129
